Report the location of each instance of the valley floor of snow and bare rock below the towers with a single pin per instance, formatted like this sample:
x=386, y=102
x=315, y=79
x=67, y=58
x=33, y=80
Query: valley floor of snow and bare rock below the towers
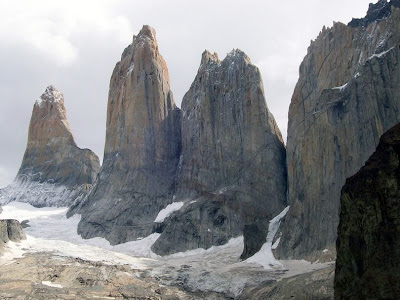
x=56, y=263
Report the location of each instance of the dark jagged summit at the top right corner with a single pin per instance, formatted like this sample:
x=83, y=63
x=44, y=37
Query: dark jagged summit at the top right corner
x=381, y=10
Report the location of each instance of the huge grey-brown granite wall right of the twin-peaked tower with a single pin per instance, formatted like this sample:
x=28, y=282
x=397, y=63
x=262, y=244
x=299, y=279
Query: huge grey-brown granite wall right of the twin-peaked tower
x=347, y=96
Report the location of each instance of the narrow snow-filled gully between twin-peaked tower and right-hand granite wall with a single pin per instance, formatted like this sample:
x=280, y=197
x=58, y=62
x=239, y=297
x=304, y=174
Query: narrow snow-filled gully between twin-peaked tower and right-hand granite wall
x=265, y=257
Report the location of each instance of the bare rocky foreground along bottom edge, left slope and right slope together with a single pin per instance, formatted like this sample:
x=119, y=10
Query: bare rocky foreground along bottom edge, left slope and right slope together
x=49, y=276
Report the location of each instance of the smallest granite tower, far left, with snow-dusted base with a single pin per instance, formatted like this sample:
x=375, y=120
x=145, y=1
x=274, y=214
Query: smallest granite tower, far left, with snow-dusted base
x=54, y=171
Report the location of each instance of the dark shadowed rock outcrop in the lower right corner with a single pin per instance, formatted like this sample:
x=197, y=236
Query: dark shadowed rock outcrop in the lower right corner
x=368, y=245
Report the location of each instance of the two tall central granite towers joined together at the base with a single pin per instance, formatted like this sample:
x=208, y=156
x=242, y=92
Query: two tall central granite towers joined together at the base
x=221, y=165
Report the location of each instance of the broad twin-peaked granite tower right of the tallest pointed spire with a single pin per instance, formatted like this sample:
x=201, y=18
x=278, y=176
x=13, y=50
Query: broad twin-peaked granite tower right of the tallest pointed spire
x=233, y=165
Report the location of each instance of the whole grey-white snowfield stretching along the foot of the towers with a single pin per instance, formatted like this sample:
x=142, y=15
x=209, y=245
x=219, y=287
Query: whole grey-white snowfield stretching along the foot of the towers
x=216, y=269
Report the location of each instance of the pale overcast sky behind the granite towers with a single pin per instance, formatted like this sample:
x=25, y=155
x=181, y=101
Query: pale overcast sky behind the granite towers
x=74, y=46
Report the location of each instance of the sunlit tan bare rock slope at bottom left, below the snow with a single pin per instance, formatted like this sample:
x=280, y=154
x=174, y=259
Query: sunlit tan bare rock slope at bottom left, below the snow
x=45, y=276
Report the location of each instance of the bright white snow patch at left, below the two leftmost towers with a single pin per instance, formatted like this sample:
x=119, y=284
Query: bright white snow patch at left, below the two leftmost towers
x=50, y=230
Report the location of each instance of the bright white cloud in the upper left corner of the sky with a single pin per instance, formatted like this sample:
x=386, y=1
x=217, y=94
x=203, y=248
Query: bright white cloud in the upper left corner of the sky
x=48, y=26
